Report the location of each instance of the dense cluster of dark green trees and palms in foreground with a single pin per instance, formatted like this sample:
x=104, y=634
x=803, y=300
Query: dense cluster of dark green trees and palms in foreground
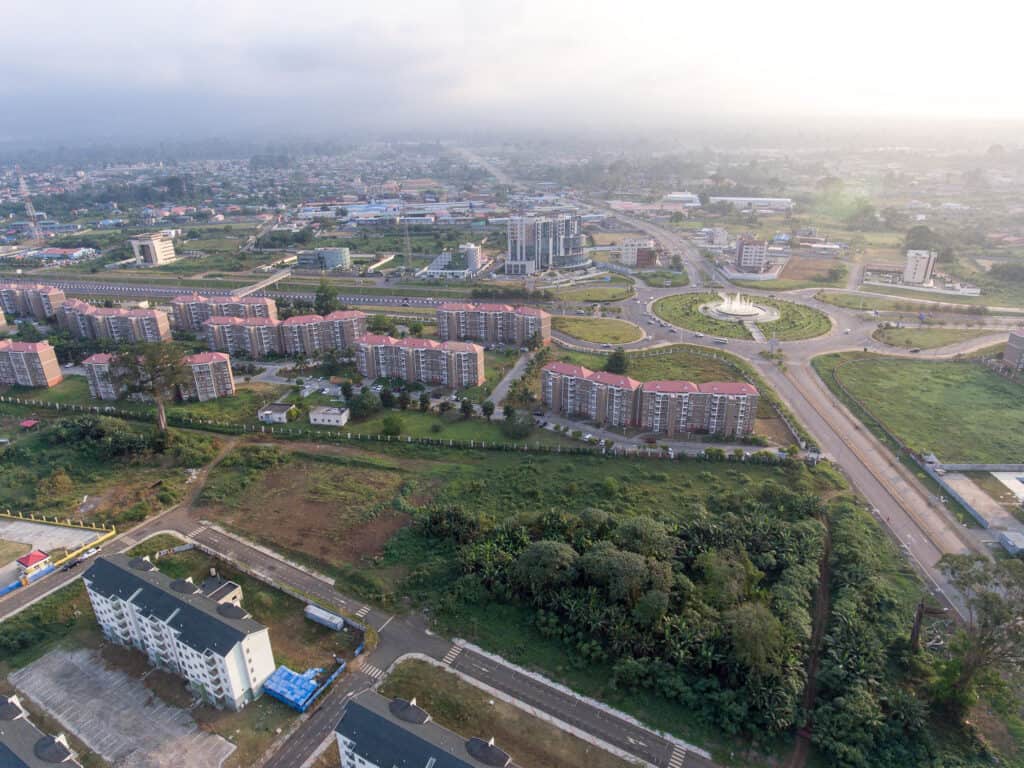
x=710, y=608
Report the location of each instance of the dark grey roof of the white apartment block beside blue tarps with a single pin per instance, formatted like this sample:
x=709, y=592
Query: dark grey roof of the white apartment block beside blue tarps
x=201, y=623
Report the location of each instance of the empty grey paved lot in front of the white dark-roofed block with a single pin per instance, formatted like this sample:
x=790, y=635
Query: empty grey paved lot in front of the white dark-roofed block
x=116, y=715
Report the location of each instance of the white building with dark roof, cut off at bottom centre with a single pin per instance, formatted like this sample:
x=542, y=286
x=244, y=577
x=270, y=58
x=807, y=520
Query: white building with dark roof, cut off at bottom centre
x=380, y=733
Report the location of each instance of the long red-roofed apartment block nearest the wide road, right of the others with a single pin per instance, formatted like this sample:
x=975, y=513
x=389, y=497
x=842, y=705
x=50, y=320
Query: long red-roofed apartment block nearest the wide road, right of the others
x=669, y=408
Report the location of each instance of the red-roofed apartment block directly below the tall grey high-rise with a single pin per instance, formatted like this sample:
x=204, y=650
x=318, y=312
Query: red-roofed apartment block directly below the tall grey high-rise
x=493, y=324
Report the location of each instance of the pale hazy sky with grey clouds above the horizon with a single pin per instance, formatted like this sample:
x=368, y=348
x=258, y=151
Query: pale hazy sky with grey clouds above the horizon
x=194, y=68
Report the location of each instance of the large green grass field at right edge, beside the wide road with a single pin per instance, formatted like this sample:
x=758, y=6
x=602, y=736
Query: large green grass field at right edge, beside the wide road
x=961, y=412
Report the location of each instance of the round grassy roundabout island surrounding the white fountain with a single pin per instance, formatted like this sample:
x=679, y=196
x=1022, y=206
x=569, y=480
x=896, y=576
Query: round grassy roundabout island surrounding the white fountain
x=782, y=320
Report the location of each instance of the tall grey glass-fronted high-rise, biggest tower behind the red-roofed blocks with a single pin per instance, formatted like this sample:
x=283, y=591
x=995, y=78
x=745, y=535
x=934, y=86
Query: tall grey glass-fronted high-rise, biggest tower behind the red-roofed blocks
x=537, y=244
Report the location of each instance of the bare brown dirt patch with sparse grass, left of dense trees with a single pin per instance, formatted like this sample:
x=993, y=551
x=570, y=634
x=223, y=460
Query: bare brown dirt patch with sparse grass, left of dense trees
x=318, y=506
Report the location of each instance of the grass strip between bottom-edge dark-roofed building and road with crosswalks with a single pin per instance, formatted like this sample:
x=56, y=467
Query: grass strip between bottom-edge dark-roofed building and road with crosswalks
x=471, y=712
